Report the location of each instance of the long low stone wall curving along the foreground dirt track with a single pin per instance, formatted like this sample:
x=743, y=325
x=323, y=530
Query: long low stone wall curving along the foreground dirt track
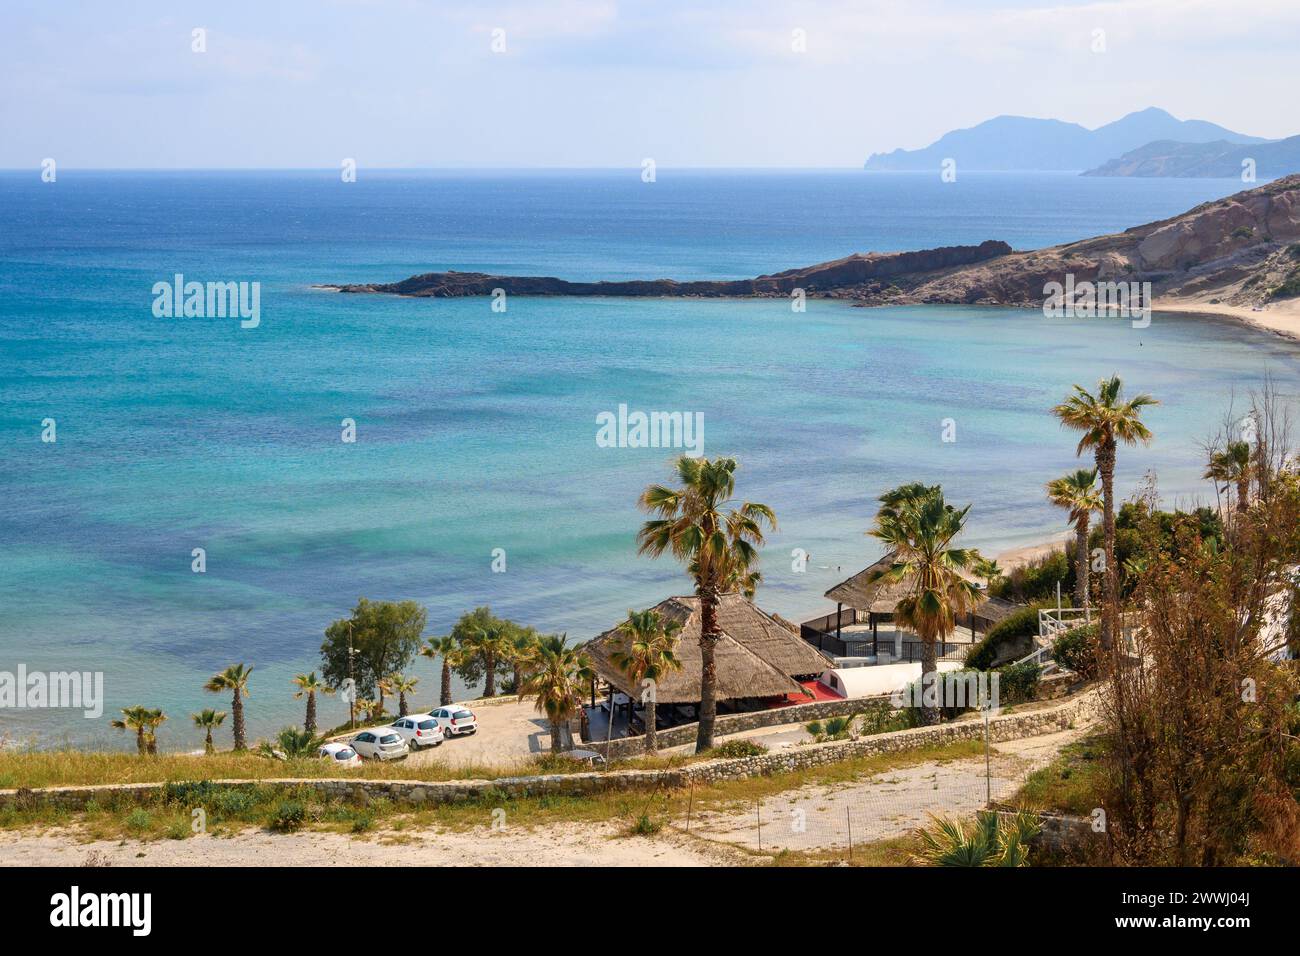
x=417, y=793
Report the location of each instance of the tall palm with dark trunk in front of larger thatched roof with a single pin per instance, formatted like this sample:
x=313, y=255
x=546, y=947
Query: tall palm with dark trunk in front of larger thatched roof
x=717, y=543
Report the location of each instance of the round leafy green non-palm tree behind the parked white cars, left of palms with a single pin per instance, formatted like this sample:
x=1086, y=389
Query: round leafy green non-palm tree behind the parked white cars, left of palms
x=385, y=637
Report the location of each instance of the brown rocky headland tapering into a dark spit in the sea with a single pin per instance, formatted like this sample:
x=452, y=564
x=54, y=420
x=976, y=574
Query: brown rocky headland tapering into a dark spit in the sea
x=1243, y=250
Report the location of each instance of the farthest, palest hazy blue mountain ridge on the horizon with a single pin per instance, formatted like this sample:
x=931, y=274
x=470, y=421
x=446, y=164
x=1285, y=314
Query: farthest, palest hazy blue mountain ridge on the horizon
x=1011, y=144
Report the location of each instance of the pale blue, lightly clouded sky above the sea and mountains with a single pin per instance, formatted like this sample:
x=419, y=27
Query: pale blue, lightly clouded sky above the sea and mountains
x=300, y=84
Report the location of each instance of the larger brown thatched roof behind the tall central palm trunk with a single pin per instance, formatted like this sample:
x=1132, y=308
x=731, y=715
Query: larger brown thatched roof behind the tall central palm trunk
x=757, y=656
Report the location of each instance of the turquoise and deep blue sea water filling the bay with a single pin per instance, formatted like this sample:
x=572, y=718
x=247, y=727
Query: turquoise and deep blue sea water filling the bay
x=478, y=430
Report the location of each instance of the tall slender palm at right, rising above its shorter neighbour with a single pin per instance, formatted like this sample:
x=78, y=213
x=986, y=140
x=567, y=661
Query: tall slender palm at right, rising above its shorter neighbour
x=1106, y=421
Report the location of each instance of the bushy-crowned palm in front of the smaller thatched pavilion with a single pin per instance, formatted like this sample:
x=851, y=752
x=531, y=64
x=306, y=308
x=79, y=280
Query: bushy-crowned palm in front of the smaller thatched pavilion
x=920, y=529
